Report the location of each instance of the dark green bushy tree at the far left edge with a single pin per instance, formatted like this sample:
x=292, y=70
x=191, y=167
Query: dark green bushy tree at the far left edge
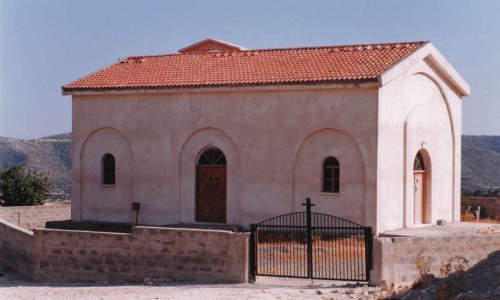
x=20, y=187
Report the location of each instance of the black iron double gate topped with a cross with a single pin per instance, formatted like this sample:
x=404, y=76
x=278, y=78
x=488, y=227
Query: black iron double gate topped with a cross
x=311, y=245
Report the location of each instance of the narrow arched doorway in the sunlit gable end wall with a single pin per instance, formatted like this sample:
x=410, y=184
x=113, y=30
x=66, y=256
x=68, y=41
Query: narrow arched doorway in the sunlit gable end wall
x=420, y=189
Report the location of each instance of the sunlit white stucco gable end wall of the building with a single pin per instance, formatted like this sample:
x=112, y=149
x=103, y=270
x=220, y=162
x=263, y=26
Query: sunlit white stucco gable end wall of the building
x=419, y=109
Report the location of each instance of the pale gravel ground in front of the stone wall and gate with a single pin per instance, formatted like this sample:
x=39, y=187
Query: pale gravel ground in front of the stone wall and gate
x=13, y=287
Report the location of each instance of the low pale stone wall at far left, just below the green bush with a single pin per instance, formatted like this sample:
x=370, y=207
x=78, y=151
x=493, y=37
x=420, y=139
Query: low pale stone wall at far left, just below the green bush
x=30, y=217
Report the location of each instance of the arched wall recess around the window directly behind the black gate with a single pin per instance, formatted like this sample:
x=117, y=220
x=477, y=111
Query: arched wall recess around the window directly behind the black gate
x=350, y=203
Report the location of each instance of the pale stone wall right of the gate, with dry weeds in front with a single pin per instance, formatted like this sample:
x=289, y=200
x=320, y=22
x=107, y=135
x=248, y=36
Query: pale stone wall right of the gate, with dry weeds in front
x=394, y=258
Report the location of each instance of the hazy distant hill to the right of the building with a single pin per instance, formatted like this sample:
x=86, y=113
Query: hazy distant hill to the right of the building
x=480, y=162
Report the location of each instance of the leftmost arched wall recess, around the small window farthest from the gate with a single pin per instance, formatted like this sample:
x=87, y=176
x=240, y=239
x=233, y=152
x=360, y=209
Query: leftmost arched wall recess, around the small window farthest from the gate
x=104, y=202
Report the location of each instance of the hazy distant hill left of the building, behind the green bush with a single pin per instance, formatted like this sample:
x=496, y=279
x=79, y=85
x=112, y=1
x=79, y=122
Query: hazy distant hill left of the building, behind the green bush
x=49, y=155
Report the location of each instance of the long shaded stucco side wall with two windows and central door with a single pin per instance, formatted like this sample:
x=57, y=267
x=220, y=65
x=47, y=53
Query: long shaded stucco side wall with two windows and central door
x=274, y=139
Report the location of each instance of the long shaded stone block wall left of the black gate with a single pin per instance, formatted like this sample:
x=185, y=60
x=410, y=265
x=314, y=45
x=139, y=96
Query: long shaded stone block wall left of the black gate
x=185, y=254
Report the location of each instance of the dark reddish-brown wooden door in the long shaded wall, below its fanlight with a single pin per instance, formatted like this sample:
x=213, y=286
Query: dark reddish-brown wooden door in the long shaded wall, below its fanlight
x=211, y=194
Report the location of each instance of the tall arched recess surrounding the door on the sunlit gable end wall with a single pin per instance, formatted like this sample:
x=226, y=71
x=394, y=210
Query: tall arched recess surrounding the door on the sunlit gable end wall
x=429, y=125
